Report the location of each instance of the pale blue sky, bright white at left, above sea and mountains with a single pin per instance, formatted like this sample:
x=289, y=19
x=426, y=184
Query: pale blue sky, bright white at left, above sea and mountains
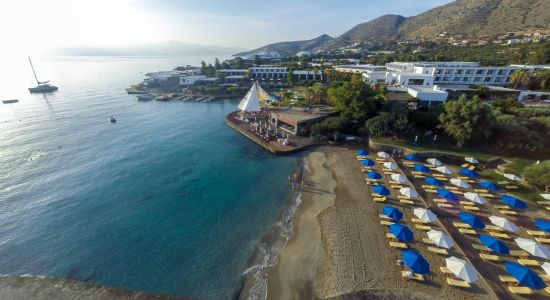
x=27, y=25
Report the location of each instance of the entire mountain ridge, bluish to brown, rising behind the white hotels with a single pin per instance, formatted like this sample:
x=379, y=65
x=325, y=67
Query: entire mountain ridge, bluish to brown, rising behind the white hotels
x=461, y=18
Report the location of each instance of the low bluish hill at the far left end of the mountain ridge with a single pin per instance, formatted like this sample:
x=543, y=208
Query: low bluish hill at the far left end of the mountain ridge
x=291, y=48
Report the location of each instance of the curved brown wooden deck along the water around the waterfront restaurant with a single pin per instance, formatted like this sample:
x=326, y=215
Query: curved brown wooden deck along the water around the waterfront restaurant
x=296, y=143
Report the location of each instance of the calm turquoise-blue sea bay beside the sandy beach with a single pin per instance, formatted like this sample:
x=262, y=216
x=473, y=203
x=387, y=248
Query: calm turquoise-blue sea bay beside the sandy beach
x=168, y=200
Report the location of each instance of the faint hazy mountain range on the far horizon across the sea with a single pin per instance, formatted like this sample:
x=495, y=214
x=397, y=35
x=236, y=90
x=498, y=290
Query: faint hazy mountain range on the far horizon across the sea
x=158, y=49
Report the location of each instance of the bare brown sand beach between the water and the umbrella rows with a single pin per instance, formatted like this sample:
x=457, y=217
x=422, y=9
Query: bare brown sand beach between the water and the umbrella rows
x=339, y=249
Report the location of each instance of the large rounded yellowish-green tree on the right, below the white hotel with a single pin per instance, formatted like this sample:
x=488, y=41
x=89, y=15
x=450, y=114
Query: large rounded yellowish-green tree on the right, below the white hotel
x=467, y=120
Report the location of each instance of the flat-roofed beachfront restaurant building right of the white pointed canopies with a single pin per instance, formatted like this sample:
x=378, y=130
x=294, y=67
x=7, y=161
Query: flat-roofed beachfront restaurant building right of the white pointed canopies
x=298, y=120
